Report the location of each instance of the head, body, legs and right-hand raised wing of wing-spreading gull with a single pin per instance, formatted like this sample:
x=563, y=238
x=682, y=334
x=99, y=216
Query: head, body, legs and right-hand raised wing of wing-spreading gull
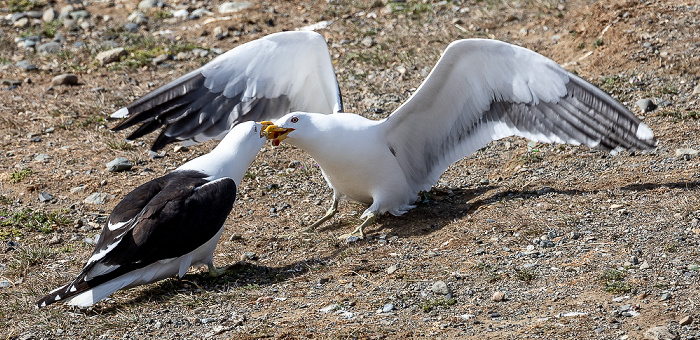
x=479, y=91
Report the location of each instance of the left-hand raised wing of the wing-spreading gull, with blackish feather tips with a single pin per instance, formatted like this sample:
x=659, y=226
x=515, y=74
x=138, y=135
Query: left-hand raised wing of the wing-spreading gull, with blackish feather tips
x=258, y=81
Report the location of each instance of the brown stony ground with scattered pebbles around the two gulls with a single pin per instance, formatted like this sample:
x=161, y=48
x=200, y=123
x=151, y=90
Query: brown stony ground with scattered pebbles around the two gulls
x=516, y=241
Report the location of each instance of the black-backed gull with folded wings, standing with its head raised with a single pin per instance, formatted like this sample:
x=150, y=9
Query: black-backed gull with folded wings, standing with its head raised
x=166, y=225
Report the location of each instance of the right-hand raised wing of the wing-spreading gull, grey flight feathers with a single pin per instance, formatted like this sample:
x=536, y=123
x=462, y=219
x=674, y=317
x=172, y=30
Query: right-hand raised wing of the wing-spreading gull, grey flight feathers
x=482, y=90
